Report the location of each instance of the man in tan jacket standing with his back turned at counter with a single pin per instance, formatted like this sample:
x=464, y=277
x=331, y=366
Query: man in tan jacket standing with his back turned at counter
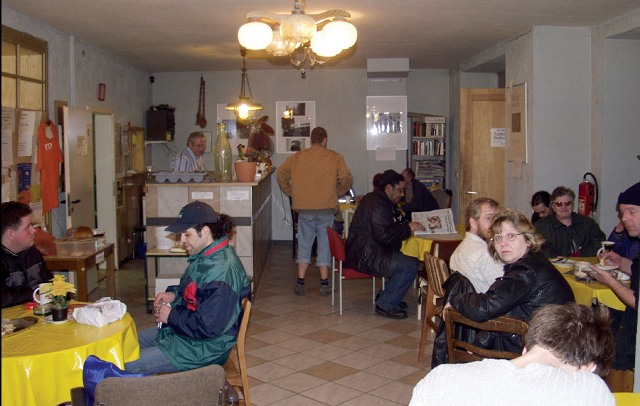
x=314, y=178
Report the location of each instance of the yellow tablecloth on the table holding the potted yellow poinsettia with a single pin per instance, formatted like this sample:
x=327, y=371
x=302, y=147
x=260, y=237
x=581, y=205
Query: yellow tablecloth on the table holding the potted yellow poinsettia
x=41, y=364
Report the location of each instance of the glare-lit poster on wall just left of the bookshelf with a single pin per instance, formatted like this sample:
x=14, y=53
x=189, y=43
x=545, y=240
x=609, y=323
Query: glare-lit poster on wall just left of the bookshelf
x=386, y=122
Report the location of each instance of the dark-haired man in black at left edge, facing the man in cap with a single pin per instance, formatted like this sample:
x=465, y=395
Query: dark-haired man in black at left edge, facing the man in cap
x=23, y=268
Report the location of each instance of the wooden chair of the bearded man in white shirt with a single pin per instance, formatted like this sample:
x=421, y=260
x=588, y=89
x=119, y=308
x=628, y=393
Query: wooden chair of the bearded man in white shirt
x=436, y=273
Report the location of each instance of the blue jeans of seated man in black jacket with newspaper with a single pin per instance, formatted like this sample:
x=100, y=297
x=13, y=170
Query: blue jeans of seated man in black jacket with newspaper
x=403, y=273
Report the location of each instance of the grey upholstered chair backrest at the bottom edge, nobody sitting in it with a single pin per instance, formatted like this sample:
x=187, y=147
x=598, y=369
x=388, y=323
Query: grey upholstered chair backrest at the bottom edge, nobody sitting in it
x=196, y=387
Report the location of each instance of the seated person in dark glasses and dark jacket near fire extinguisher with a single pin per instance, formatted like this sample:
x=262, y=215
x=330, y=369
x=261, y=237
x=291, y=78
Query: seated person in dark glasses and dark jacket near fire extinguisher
x=568, y=234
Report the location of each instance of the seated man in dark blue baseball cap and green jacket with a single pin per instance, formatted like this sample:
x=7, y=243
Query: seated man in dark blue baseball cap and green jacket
x=199, y=318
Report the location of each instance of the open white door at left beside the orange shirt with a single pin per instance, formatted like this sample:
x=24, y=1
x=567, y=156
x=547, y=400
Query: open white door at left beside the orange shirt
x=78, y=168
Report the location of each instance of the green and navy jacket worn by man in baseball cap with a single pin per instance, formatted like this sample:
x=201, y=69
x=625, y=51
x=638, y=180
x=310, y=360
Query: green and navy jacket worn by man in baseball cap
x=204, y=320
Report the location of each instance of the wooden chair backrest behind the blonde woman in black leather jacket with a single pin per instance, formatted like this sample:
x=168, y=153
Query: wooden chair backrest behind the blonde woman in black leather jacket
x=462, y=351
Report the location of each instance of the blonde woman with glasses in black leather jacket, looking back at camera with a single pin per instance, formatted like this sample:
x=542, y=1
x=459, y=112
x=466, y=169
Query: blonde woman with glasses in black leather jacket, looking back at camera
x=530, y=281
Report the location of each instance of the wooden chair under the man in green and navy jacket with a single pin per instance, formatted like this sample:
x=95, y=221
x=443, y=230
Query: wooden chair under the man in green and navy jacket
x=238, y=377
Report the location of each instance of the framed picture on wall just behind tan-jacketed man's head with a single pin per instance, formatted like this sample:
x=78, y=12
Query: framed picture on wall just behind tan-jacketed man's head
x=294, y=122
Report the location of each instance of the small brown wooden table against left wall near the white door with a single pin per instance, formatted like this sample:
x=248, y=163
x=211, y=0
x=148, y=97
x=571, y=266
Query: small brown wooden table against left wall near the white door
x=80, y=265
